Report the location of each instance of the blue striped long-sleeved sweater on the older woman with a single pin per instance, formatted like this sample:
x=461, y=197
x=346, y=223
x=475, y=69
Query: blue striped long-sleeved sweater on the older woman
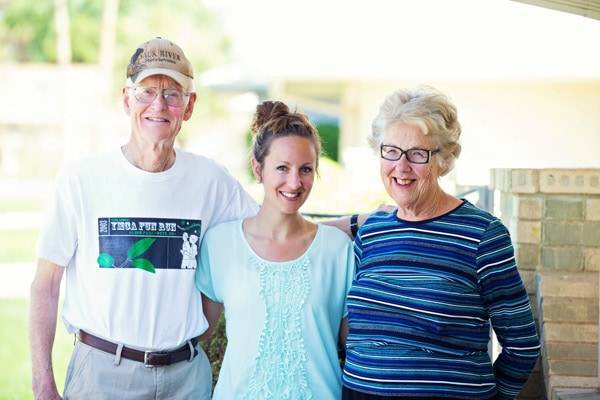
x=421, y=304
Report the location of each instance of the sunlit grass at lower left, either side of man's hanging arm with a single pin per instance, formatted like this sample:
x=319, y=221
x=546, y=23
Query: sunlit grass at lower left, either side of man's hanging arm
x=15, y=360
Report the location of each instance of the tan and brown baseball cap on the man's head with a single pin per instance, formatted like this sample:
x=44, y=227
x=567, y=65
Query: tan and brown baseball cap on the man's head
x=160, y=56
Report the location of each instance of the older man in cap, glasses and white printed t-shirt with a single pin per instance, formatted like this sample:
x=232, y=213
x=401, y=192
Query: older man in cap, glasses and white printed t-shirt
x=125, y=227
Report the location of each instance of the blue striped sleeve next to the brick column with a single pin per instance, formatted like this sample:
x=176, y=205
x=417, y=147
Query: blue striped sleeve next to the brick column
x=508, y=306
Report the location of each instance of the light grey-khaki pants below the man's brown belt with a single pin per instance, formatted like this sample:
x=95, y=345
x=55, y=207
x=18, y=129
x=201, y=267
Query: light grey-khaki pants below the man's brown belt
x=93, y=374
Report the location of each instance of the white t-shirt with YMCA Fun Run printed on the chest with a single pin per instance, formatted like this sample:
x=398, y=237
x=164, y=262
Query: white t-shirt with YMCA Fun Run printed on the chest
x=130, y=240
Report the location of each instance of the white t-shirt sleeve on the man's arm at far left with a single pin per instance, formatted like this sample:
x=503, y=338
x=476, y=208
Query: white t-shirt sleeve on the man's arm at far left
x=59, y=237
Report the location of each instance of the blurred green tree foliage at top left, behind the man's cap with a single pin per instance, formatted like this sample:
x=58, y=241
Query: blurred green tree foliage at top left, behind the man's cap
x=28, y=33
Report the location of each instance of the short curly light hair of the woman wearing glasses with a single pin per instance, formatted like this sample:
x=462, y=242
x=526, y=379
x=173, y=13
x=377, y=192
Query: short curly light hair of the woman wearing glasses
x=428, y=109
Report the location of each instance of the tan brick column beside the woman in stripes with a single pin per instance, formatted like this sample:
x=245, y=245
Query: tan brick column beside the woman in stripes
x=553, y=216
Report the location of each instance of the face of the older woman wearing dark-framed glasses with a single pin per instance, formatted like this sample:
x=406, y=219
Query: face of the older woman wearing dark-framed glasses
x=409, y=184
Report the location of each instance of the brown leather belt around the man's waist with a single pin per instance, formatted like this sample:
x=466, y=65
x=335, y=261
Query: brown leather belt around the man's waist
x=148, y=358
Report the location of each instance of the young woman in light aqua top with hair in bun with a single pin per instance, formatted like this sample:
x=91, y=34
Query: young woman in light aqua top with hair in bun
x=282, y=279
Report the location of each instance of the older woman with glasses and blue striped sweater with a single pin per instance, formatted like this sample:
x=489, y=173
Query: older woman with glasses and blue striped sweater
x=432, y=274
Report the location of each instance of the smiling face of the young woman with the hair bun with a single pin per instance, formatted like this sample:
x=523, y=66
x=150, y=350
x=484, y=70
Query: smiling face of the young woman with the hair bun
x=288, y=173
